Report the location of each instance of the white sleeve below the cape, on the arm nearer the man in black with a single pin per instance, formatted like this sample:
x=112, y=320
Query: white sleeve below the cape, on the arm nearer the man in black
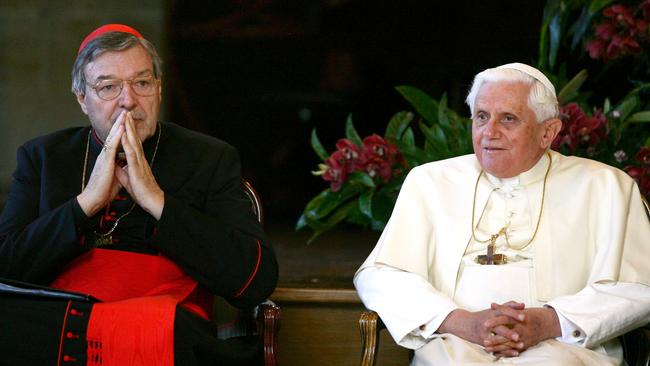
x=410, y=307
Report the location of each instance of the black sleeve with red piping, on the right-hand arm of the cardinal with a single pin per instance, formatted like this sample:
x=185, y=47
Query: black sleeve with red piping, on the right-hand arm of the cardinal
x=221, y=245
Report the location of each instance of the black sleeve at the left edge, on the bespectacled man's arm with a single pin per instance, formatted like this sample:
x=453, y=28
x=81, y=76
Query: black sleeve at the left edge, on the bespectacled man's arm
x=35, y=246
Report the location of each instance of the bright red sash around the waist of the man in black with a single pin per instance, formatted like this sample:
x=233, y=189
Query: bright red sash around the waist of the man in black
x=135, y=323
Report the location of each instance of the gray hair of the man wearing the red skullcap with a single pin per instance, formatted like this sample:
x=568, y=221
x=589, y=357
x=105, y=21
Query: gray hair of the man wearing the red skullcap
x=111, y=41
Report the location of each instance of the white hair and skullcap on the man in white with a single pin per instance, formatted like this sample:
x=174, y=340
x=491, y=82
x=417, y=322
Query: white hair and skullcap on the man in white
x=541, y=100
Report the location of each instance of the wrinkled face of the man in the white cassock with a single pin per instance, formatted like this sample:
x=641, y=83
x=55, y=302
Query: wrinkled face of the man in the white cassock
x=506, y=136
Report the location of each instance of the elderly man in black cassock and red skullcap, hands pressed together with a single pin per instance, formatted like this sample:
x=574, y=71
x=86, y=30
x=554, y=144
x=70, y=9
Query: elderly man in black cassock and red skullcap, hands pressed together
x=148, y=217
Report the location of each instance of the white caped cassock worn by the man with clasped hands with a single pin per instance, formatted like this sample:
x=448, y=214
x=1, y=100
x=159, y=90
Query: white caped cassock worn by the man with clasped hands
x=589, y=259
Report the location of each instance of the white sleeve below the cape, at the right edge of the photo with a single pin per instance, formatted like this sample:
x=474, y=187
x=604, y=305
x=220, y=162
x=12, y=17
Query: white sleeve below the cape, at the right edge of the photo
x=602, y=311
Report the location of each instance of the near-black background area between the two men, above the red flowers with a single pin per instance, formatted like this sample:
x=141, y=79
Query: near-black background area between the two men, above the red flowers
x=263, y=74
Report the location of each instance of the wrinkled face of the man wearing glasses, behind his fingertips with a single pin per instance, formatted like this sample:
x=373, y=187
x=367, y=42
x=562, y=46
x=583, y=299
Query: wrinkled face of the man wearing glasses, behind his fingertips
x=128, y=64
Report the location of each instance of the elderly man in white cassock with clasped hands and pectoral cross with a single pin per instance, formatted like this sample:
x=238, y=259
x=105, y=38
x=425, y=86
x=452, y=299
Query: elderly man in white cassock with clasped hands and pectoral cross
x=515, y=253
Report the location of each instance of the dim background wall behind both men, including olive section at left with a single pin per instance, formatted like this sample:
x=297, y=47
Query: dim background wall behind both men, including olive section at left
x=261, y=74
